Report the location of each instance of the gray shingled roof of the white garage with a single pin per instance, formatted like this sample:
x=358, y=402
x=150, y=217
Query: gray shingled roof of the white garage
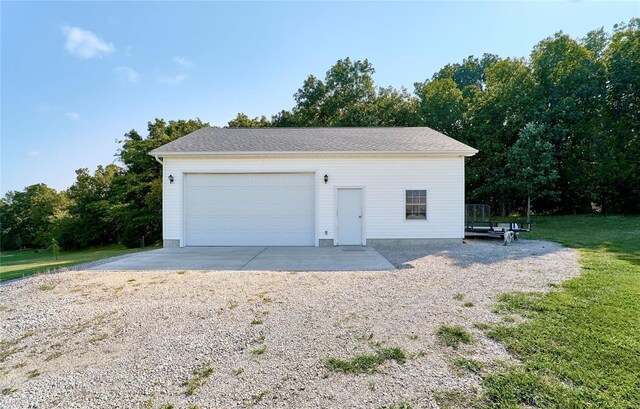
x=273, y=140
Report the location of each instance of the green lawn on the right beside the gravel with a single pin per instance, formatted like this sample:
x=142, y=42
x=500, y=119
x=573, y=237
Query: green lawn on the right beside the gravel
x=580, y=346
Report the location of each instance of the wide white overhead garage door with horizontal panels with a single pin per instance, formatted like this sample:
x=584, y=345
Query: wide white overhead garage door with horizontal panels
x=257, y=209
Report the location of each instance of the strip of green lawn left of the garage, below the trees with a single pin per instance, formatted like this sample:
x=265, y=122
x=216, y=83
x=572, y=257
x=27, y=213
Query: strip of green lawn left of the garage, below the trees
x=15, y=264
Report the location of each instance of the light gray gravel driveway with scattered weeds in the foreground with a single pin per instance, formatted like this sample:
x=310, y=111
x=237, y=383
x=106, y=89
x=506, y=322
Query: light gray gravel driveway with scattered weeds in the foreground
x=125, y=339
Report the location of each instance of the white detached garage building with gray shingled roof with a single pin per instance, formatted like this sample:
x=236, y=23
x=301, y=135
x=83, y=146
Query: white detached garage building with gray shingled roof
x=312, y=186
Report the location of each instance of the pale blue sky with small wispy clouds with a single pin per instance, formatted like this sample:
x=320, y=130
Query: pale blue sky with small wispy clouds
x=77, y=75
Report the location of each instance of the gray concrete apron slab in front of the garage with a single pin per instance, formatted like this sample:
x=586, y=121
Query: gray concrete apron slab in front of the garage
x=253, y=258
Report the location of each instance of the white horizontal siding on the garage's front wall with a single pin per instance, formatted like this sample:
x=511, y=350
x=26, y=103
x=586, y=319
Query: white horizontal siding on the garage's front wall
x=383, y=180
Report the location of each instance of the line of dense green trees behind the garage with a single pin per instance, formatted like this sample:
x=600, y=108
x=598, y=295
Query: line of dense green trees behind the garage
x=557, y=131
